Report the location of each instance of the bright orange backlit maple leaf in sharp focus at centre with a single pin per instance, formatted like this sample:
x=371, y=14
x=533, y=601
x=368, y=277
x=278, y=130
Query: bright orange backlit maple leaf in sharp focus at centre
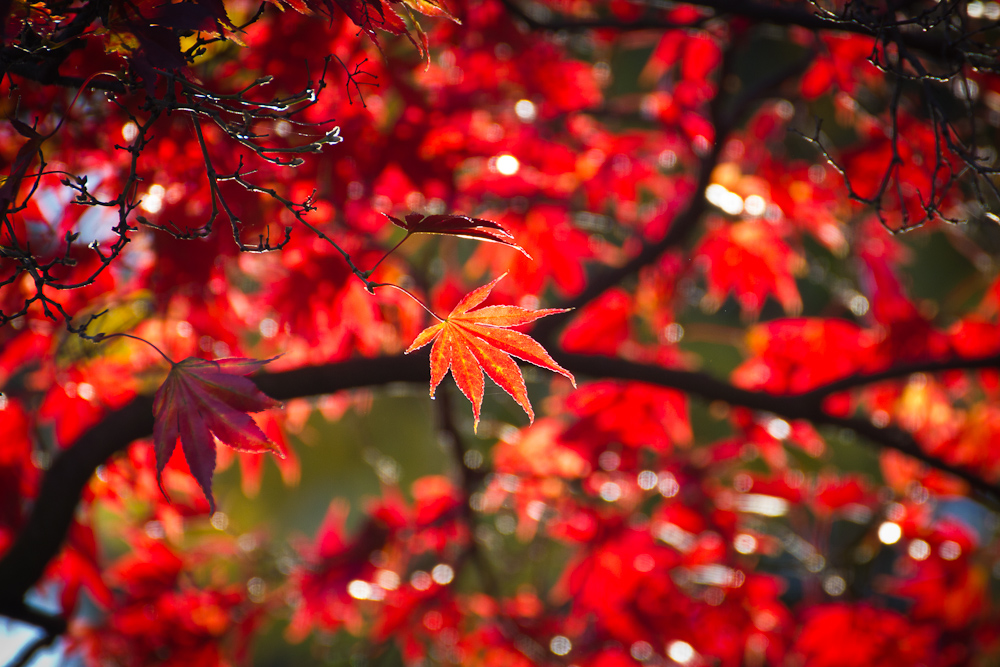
x=472, y=341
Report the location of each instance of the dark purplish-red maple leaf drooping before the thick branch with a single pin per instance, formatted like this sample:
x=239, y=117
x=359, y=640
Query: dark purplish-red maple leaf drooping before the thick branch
x=203, y=400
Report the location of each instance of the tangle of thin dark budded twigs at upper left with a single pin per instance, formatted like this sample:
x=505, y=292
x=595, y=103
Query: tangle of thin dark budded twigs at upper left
x=148, y=104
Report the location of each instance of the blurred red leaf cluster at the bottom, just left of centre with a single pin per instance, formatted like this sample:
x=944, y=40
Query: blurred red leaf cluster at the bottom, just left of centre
x=391, y=578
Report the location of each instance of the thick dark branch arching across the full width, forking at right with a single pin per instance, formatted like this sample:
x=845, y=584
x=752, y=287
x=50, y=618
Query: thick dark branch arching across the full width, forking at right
x=41, y=539
